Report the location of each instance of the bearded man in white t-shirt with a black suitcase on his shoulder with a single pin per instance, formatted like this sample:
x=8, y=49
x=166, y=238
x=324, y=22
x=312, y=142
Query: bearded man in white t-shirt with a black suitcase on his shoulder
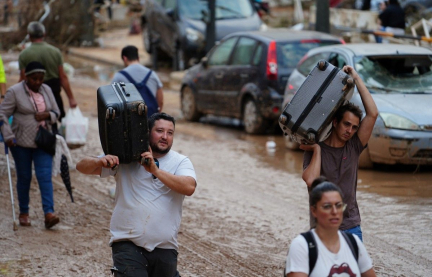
x=148, y=203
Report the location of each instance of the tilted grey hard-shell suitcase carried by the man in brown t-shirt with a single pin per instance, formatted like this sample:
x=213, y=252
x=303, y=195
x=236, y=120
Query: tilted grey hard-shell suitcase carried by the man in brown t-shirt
x=307, y=118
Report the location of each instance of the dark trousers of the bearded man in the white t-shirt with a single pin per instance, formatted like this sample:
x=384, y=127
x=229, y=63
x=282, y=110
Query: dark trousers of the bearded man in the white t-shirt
x=134, y=261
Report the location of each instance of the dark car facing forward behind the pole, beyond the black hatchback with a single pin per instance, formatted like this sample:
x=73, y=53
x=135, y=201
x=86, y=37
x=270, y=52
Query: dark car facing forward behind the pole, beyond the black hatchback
x=177, y=27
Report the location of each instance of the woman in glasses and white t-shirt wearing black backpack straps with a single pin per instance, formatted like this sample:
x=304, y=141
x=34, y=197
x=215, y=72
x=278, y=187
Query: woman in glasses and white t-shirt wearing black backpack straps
x=334, y=254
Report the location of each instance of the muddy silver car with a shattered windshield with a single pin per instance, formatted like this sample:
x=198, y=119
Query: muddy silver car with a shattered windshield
x=399, y=78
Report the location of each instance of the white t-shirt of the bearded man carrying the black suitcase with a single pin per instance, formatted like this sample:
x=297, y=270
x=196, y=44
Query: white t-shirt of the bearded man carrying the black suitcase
x=147, y=212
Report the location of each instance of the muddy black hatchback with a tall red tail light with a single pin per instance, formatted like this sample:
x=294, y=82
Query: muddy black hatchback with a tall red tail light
x=245, y=75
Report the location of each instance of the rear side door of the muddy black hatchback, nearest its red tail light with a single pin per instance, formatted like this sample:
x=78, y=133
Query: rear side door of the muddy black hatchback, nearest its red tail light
x=239, y=72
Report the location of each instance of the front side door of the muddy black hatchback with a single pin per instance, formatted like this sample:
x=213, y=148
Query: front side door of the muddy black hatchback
x=211, y=80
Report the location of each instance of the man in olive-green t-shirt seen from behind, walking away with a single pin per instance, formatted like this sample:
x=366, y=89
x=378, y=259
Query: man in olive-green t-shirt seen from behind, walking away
x=52, y=60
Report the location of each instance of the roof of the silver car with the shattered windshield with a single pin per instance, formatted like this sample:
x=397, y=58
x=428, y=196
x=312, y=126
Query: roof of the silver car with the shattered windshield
x=376, y=49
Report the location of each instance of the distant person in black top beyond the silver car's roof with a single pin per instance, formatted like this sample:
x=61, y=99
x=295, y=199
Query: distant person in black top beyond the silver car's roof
x=392, y=19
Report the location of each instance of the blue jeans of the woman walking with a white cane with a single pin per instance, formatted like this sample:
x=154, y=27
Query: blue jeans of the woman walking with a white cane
x=24, y=157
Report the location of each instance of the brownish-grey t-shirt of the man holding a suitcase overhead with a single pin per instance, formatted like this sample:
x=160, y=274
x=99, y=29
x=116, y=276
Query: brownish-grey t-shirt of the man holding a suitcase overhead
x=340, y=166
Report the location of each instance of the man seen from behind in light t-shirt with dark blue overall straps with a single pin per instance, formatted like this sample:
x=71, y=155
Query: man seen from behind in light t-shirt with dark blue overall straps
x=145, y=80
